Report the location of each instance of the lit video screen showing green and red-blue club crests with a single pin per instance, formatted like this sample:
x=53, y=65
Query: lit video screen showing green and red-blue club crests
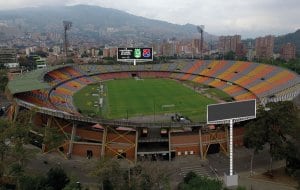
x=135, y=54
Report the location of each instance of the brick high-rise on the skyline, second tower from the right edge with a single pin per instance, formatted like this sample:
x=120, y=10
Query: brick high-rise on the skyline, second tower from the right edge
x=264, y=47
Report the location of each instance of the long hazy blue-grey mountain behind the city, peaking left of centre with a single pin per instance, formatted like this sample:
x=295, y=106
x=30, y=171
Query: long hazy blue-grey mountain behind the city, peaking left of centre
x=96, y=22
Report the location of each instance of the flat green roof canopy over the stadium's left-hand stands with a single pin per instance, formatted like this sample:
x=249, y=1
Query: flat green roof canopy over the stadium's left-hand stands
x=32, y=80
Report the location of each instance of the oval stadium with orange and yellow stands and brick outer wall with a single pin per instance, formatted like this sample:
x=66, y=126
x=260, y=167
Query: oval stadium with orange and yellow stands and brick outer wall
x=51, y=92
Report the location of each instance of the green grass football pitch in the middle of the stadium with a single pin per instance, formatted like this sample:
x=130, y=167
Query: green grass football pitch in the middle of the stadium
x=129, y=97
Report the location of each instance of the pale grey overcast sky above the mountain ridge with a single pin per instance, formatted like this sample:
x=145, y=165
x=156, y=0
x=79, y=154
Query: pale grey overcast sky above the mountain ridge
x=250, y=18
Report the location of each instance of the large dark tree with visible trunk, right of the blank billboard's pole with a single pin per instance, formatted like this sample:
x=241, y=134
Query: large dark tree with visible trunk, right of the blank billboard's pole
x=272, y=126
